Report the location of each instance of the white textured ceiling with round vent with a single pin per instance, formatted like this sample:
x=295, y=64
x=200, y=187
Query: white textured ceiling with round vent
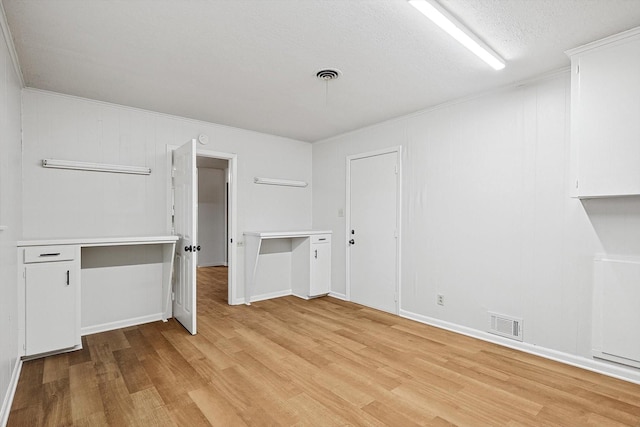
x=252, y=63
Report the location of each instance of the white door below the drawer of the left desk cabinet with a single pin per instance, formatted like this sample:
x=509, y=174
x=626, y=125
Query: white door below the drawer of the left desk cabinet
x=51, y=307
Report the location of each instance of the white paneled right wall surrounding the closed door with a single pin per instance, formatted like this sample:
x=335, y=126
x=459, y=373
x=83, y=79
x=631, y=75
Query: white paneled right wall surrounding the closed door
x=487, y=218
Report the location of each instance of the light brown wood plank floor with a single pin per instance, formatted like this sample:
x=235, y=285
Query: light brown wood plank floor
x=323, y=362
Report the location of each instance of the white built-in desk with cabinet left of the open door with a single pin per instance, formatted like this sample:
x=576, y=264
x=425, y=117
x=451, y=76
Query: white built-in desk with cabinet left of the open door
x=49, y=293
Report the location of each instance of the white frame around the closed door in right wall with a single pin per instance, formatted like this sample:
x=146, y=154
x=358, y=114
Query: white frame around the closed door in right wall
x=398, y=151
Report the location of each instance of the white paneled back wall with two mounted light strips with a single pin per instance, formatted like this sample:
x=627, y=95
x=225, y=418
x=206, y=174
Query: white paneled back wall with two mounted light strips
x=65, y=203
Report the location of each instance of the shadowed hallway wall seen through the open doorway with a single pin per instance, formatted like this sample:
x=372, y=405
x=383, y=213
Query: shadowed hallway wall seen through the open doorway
x=211, y=217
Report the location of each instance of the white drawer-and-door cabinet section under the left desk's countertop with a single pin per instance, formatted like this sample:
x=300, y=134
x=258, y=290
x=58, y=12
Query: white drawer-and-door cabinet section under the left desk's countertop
x=52, y=295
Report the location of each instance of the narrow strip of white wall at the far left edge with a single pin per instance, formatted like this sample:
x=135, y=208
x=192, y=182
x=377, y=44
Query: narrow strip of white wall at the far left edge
x=11, y=217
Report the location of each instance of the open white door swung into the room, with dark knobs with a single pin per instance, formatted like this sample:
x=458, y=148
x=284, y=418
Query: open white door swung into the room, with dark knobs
x=185, y=221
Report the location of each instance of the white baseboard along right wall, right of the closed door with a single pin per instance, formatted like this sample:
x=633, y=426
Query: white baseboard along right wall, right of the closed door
x=626, y=374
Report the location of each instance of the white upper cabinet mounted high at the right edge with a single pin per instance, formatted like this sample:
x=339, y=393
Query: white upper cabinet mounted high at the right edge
x=605, y=117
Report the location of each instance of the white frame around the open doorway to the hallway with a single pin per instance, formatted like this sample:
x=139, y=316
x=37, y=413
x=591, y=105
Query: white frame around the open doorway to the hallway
x=232, y=241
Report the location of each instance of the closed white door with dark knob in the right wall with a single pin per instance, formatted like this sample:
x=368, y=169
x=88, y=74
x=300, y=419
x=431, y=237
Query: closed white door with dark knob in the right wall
x=373, y=230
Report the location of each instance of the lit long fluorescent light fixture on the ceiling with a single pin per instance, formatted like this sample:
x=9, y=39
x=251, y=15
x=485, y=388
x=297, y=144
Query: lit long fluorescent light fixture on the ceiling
x=443, y=19
